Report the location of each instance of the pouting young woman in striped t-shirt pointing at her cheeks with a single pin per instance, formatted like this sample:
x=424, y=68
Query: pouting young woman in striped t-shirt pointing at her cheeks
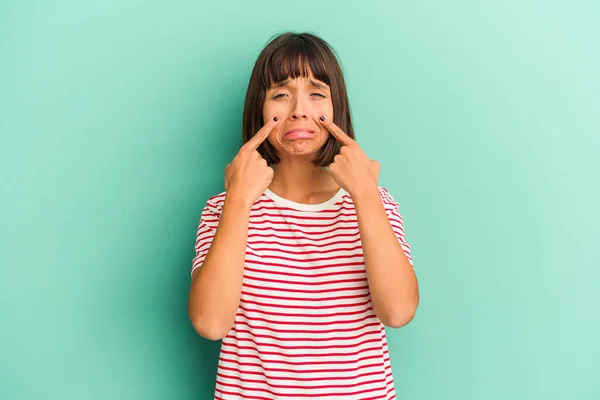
x=302, y=261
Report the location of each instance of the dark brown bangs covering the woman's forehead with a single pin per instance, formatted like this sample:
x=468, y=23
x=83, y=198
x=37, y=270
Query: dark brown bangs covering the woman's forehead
x=295, y=58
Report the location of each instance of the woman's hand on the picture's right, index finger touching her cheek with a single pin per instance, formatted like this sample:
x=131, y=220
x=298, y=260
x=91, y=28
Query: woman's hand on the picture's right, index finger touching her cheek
x=351, y=167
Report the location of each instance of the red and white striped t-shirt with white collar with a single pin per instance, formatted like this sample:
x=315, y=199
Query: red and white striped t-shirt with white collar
x=305, y=326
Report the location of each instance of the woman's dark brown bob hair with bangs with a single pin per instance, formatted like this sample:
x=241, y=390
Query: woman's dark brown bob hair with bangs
x=291, y=55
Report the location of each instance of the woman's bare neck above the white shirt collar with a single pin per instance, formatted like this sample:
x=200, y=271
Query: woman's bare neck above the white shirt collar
x=299, y=180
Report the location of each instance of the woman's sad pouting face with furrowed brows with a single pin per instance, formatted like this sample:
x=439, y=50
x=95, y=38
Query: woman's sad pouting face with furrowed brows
x=298, y=103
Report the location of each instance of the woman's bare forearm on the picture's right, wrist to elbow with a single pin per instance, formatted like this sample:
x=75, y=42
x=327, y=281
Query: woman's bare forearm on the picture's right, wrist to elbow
x=392, y=281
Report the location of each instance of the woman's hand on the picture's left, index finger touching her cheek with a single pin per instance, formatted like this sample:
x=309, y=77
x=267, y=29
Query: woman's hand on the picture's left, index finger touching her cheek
x=248, y=175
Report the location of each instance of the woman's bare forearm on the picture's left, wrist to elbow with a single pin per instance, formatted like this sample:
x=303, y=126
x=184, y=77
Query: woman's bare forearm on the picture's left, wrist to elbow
x=217, y=284
